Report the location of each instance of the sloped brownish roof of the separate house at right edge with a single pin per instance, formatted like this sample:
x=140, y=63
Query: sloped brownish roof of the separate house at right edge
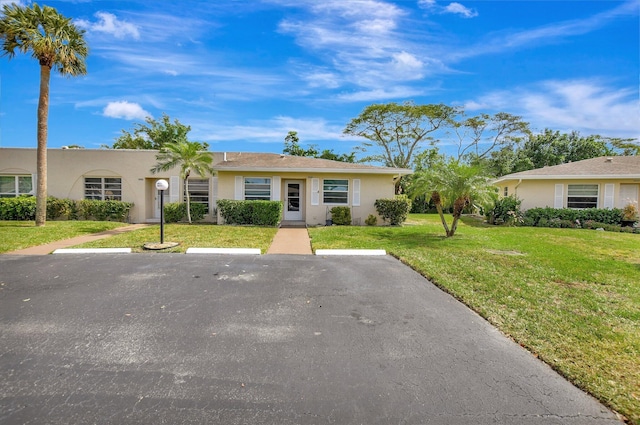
x=604, y=167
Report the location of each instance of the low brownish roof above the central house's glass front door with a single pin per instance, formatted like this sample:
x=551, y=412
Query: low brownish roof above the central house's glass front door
x=249, y=161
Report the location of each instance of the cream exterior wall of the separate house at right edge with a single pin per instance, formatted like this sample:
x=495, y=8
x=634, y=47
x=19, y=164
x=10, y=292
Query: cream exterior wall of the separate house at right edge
x=541, y=193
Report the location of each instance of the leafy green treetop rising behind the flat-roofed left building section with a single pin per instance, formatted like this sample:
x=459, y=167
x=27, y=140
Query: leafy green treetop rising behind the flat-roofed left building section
x=155, y=134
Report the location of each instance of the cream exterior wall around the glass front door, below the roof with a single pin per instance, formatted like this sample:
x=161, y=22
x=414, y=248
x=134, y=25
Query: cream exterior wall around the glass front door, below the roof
x=372, y=187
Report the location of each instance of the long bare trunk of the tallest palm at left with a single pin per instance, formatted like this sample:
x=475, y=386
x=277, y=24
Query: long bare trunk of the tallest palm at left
x=43, y=115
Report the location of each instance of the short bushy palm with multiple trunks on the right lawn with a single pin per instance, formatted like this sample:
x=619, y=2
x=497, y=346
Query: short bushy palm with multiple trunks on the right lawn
x=452, y=184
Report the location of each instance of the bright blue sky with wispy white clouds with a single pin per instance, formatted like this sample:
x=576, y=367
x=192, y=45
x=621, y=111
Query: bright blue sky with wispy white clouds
x=242, y=73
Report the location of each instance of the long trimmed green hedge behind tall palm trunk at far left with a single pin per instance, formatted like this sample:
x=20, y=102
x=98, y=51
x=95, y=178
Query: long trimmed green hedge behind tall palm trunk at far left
x=24, y=208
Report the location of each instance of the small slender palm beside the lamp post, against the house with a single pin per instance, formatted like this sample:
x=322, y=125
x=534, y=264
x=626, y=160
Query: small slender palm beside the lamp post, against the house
x=189, y=156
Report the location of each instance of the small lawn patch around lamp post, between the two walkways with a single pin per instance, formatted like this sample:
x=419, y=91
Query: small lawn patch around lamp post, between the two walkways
x=196, y=235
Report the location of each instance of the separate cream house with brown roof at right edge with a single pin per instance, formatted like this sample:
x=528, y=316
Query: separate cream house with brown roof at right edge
x=604, y=182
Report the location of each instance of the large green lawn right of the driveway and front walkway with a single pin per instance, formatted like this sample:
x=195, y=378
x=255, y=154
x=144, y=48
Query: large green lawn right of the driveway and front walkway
x=572, y=297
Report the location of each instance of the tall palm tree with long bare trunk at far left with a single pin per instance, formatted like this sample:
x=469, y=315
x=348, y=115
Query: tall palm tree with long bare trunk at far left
x=57, y=44
